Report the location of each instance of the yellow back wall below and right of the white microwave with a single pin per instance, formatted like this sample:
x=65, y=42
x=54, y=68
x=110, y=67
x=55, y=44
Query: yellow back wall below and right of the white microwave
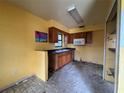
x=91, y=52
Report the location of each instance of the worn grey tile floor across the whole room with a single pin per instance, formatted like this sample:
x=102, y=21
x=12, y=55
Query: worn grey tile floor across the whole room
x=72, y=78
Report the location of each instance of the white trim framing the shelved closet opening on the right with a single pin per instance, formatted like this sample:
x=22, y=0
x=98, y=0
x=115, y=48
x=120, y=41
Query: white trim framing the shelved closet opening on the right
x=117, y=45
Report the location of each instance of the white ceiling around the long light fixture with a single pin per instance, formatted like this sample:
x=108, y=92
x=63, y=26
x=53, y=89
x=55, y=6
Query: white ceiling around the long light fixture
x=92, y=11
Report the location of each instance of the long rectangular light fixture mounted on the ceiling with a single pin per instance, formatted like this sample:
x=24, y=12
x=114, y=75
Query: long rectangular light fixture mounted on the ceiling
x=76, y=16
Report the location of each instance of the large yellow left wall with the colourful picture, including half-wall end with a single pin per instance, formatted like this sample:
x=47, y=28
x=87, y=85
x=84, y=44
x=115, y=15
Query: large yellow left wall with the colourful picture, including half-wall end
x=18, y=57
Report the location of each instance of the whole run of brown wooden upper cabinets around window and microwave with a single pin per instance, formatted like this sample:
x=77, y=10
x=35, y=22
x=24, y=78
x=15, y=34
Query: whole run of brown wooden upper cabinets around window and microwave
x=53, y=36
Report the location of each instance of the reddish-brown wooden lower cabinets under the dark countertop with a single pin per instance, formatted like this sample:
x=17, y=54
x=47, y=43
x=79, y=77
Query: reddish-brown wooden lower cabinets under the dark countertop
x=56, y=61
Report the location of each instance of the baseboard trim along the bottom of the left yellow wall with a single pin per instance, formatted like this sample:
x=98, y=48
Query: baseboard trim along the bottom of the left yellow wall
x=16, y=83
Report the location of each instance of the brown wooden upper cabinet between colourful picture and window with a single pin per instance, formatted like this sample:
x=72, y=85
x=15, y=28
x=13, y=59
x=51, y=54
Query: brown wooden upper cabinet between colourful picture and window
x=53, y=35
